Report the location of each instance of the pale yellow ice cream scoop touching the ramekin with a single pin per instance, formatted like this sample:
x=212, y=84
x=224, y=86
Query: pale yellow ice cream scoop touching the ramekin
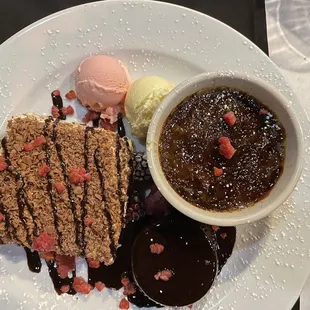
x=142, y=99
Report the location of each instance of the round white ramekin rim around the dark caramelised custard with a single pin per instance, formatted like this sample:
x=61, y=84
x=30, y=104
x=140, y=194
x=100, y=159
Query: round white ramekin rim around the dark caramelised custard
x=270, y=97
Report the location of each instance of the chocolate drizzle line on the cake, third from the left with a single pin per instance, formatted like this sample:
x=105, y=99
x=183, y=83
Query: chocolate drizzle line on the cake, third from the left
x=68, y=184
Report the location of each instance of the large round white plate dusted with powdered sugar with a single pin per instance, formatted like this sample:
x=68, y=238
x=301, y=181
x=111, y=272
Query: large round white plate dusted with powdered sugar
x=271, y=261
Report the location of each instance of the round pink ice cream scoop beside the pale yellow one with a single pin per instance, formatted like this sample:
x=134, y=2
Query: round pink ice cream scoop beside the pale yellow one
x=101, y=82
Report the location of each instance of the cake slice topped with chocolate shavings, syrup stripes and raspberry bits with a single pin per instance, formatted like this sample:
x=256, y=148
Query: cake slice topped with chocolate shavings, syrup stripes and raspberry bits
x=65, y=187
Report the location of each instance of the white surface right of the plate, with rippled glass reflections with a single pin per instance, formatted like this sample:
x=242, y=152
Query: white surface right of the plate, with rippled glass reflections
x=288, y=24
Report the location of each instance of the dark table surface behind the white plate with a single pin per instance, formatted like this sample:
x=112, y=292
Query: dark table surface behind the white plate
x=246, y=16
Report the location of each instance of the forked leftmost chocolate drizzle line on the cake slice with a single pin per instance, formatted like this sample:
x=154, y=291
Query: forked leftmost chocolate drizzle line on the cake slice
x=21, y=197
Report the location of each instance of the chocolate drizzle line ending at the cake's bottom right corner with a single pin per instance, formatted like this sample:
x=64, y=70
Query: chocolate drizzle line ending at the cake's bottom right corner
x=106, y=208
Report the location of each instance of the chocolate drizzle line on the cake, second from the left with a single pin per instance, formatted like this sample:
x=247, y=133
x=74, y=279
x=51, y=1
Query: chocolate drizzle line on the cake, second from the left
x=50, y=183
